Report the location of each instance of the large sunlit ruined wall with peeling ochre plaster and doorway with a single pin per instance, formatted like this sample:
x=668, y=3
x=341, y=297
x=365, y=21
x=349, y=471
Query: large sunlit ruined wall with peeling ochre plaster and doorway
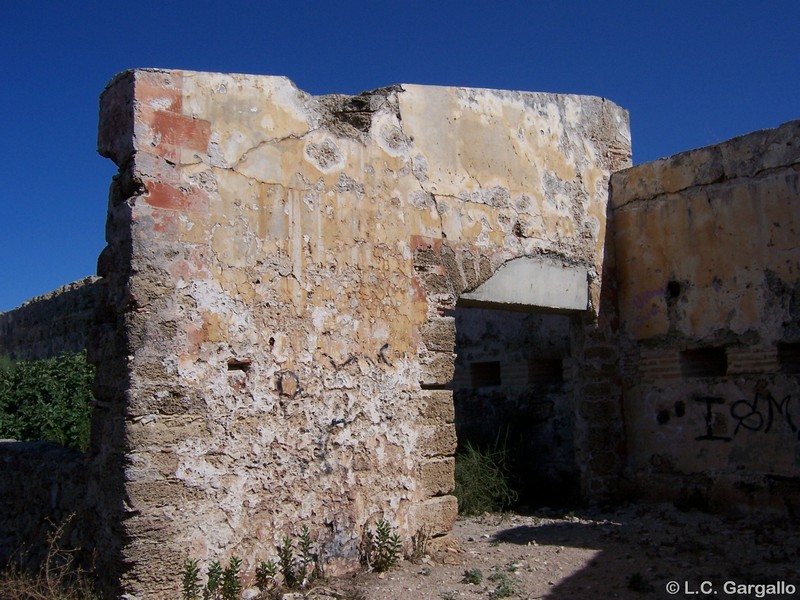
x=271, y=344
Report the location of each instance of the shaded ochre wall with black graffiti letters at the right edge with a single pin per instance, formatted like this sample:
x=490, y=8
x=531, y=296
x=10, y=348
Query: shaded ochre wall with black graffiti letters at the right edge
x=709, y=293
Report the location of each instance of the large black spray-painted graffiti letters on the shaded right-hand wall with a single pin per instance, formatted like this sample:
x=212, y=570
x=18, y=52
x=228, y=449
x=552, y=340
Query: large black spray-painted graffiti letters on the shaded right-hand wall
x=757, y=415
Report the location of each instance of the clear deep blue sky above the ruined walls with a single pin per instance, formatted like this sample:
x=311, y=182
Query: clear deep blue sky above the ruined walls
x=690, y=73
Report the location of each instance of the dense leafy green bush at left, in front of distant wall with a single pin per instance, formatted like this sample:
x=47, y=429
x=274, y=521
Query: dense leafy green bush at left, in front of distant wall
x=47, y=400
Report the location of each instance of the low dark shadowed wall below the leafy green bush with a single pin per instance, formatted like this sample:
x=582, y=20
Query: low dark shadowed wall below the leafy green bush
x=42, y=484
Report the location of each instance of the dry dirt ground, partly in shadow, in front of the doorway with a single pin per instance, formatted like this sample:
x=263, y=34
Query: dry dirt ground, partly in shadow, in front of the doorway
x=631, y=552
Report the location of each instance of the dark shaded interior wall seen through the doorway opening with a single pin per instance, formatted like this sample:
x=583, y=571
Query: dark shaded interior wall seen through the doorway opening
x=513, y=388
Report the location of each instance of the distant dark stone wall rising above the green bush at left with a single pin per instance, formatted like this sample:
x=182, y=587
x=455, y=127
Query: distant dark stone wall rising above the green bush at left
x=45, y=326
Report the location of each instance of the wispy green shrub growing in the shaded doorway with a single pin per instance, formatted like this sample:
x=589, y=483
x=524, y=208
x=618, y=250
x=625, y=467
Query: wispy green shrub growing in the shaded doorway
x=482, y=479
